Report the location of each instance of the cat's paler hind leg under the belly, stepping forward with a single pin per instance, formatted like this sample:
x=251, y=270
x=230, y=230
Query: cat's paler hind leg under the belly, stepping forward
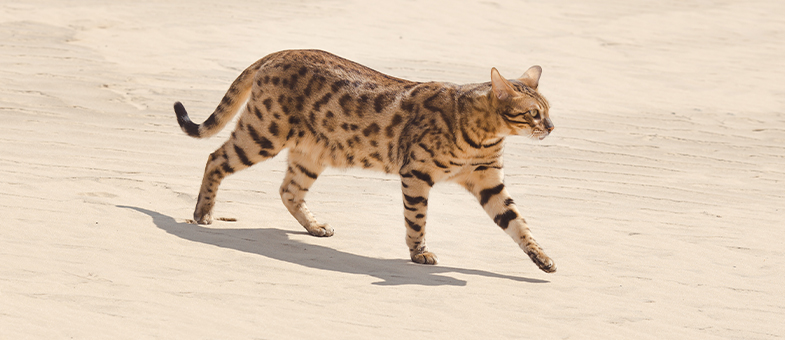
x=300, y=175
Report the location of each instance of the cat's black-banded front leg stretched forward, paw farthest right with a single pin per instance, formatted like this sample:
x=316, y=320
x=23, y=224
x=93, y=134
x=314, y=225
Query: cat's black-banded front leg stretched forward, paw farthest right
x=493, y=197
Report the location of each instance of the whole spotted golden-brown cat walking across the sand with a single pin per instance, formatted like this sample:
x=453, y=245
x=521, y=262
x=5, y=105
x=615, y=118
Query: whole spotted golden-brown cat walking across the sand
x=329, y=111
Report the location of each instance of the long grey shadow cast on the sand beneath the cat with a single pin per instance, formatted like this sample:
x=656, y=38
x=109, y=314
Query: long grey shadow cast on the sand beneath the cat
x=276, y=244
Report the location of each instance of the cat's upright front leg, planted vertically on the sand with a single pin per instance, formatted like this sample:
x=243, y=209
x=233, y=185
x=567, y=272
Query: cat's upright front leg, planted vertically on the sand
x=415, y=186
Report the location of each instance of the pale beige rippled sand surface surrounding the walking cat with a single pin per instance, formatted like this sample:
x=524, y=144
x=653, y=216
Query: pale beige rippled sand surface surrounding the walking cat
x=660, y=194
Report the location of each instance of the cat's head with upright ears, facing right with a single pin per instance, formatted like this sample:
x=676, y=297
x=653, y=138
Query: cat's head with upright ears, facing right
x=522, y=108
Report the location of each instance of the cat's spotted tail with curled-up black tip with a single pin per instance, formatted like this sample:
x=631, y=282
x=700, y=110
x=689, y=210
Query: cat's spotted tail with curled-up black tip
x=233, y=100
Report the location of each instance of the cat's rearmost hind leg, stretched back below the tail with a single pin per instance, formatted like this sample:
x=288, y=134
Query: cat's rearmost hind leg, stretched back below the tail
x=246, y=147
